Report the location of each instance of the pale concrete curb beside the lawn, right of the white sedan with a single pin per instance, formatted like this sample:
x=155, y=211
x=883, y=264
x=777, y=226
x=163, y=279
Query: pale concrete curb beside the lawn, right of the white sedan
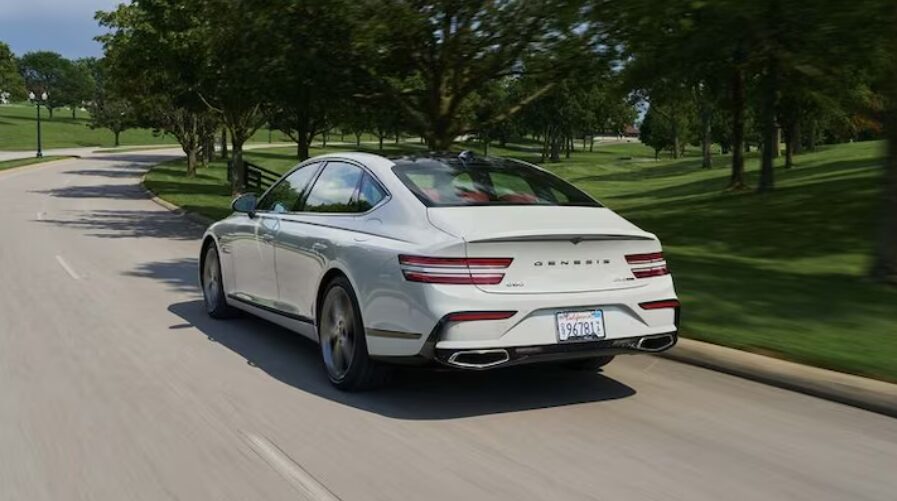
x=869, y=394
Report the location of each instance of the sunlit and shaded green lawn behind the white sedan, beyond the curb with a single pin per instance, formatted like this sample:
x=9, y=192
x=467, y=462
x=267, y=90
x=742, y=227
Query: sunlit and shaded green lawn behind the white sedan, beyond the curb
x=780, y=274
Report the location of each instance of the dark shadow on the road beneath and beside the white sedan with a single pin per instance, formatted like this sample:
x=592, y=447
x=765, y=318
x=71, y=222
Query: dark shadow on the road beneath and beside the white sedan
x=414, y=393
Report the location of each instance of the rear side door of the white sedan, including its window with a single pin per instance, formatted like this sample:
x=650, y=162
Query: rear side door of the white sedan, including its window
x=340, y=194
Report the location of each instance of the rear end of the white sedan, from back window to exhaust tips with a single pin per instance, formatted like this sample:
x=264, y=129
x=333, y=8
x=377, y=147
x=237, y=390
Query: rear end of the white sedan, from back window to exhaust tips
x=547, y=273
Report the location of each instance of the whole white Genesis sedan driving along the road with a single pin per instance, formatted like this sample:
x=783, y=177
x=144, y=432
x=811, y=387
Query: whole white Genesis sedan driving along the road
x=465, y=261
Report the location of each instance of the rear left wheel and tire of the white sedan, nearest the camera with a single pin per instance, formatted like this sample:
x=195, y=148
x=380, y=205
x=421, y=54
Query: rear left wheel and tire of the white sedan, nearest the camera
x=344, y=351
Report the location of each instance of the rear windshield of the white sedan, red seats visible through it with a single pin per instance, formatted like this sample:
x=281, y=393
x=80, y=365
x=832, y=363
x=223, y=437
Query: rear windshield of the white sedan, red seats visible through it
x=450, y=182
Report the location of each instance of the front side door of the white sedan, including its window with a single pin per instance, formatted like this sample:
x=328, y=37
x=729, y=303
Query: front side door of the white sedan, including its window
x=255, y=251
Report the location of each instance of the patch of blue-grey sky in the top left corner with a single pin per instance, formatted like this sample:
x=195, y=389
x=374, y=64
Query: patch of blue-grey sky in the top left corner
x=63, y=26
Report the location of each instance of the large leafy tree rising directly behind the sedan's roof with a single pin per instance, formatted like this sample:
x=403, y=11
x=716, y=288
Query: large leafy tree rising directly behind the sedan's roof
x=432, y=58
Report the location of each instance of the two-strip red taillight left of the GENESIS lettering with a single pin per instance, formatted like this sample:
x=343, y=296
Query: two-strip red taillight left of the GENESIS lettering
x=454, y=270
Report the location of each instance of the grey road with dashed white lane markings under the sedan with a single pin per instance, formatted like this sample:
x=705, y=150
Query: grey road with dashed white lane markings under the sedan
x=115, y=385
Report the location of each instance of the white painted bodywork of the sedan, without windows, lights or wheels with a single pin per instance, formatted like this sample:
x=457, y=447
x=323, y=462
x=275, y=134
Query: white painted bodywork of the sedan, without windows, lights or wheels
x=274, y=265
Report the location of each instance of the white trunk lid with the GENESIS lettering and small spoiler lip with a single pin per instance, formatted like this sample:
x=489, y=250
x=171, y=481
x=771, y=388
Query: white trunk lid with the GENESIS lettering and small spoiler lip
x=555, y=249
